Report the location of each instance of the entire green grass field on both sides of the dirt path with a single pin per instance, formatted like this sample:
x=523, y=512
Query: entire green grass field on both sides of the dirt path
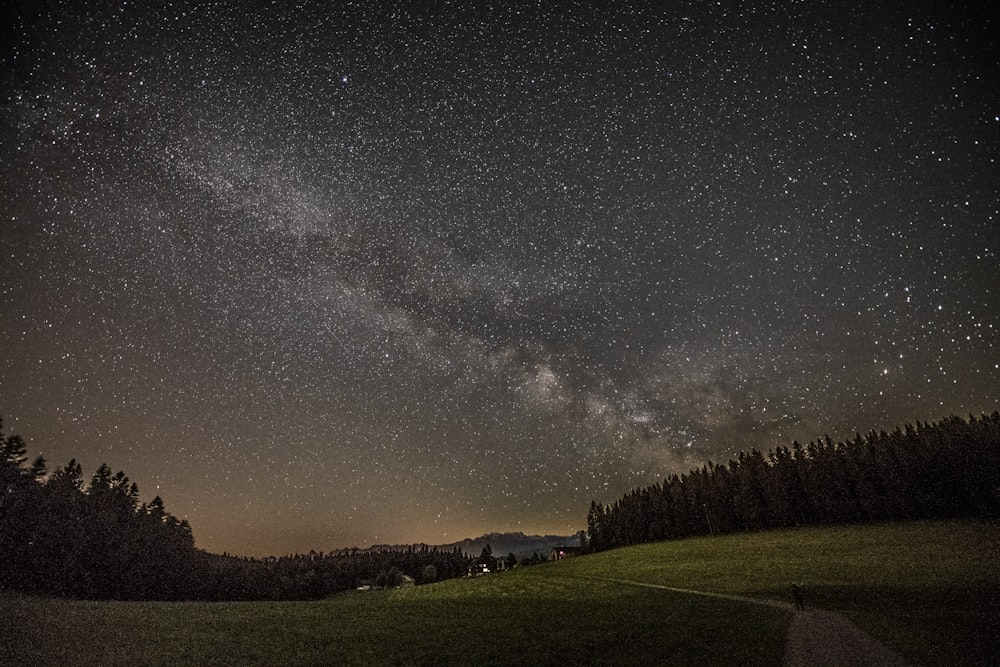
x=931, y=590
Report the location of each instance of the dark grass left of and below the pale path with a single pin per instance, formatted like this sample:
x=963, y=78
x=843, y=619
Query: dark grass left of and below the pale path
x=521, y=618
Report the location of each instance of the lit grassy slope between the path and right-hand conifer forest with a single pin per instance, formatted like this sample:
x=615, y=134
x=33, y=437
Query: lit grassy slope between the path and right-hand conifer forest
x=930, y=590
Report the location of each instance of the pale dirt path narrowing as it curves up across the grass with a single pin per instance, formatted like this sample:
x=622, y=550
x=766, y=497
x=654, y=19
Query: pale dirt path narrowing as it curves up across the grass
x=816, y=638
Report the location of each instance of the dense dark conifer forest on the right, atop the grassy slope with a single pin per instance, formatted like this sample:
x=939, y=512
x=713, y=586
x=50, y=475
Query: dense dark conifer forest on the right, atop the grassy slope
x=932, y=470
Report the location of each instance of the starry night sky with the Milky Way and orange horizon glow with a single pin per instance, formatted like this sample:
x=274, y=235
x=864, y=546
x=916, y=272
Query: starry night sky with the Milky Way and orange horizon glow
x=322, y=275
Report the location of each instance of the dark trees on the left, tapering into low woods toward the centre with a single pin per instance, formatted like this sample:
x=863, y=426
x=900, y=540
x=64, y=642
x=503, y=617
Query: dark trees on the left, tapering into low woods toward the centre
x=63, y=536
